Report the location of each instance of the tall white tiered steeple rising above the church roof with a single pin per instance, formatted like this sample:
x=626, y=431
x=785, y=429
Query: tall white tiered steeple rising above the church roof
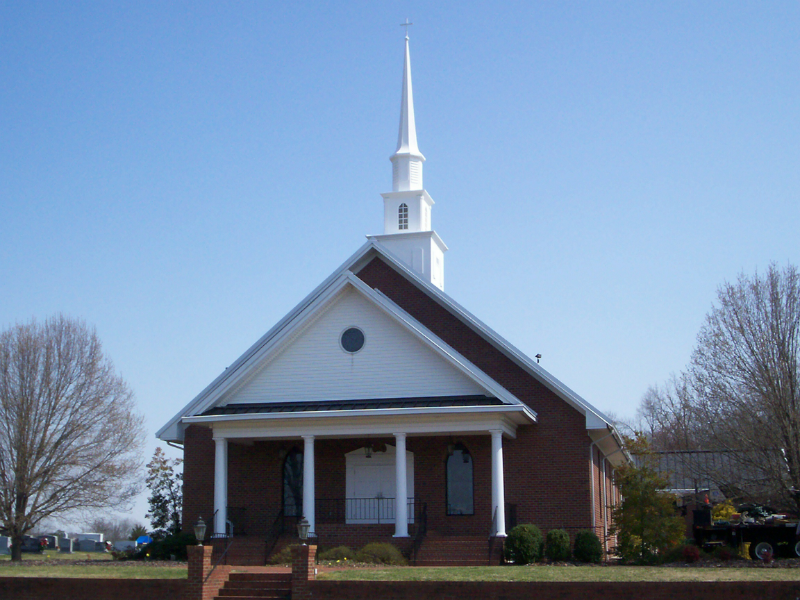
x=407, y=230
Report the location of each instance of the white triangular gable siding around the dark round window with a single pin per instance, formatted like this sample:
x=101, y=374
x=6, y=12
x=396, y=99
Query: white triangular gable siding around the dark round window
x=392, y=363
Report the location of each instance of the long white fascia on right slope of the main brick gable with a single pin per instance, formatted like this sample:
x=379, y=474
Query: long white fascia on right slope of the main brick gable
x=594, y=418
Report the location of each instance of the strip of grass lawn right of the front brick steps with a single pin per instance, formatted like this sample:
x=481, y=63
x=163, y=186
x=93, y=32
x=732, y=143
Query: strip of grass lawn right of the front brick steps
x=564, y=573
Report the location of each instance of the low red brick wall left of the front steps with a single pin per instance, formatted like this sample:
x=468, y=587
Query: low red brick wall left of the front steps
x=50, y=588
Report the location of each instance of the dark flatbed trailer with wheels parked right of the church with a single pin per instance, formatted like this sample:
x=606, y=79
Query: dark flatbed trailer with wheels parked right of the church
x=772, y=538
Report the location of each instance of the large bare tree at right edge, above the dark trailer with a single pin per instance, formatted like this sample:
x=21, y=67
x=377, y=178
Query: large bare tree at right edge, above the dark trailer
x=745, y=372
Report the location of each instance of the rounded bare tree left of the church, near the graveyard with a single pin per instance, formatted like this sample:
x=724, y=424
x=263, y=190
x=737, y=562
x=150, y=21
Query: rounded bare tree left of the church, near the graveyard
x=70, y=438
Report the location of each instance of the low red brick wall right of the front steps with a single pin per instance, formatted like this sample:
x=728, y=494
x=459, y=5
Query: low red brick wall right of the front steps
x=430, y=590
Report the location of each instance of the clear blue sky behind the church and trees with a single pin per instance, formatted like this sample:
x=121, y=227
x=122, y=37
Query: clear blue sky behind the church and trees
x=181, y=174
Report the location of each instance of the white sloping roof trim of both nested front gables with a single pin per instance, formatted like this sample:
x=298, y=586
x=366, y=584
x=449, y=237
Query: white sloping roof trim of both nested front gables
x=344, y=275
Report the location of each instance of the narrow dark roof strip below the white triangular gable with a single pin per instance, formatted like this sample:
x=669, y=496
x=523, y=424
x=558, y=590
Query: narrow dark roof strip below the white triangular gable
x=360, y=404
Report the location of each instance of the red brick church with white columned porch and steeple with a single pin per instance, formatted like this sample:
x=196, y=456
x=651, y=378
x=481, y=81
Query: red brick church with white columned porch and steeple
x=381, y=410
